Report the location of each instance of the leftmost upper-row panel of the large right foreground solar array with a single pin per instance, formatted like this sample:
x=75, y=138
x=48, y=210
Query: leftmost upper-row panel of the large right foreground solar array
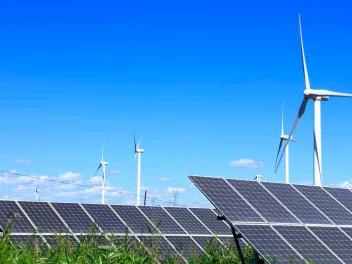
x=221, y=195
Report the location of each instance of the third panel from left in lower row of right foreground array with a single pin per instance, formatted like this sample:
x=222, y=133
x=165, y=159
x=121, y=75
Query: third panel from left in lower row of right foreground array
x=336, y=240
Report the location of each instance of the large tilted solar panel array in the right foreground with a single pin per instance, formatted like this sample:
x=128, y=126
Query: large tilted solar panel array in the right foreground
x=285, y=223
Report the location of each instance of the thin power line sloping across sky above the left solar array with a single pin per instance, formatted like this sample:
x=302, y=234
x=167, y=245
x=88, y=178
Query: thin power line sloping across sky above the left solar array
x=82, y=185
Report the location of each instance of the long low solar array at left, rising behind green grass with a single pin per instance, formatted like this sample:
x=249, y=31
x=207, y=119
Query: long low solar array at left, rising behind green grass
x=177, y=231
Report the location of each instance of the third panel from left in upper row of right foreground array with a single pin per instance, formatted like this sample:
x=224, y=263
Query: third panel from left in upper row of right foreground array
x=296, y=203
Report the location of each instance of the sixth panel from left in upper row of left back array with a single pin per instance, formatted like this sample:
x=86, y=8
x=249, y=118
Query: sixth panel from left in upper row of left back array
x=162, y=220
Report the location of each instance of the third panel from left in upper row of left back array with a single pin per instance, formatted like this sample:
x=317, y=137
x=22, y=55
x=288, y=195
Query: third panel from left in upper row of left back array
x=75, y=217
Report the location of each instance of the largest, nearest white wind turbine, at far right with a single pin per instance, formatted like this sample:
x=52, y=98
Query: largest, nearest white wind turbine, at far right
x=317, y=96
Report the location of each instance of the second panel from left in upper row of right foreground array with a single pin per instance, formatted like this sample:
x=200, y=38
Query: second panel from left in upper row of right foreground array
x=263, y=202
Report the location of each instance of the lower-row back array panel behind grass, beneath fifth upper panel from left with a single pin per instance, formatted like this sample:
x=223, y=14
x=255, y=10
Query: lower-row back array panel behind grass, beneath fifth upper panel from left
x=159, y=246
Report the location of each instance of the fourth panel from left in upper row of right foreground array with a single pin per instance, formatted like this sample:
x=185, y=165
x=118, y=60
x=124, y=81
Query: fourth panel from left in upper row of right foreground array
x=326, y=204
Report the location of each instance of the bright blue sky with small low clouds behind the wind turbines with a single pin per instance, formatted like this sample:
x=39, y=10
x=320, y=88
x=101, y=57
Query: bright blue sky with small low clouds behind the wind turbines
x=202, y=82
